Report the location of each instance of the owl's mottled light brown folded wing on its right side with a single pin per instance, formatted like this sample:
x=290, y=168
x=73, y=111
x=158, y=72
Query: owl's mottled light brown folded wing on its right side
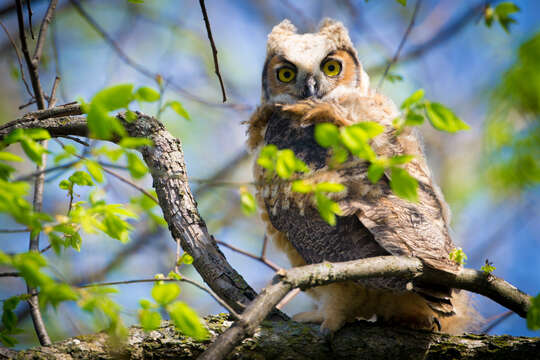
x=401, y=227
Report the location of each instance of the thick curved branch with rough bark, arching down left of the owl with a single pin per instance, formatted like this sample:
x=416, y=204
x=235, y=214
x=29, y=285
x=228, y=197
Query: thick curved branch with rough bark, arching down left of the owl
x=165, y=161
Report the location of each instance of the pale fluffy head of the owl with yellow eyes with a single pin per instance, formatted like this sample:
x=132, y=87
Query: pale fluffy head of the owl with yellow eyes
x=315, y=65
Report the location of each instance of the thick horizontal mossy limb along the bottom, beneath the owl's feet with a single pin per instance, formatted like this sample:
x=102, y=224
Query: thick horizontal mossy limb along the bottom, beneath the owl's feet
x=291, y=340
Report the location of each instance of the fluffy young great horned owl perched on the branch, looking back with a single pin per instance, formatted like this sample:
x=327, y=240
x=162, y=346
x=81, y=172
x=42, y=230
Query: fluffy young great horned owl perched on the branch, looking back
x=317, y=77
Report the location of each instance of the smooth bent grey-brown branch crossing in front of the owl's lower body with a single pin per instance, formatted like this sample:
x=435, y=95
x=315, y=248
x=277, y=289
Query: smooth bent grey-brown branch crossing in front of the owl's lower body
x=384, y=266
